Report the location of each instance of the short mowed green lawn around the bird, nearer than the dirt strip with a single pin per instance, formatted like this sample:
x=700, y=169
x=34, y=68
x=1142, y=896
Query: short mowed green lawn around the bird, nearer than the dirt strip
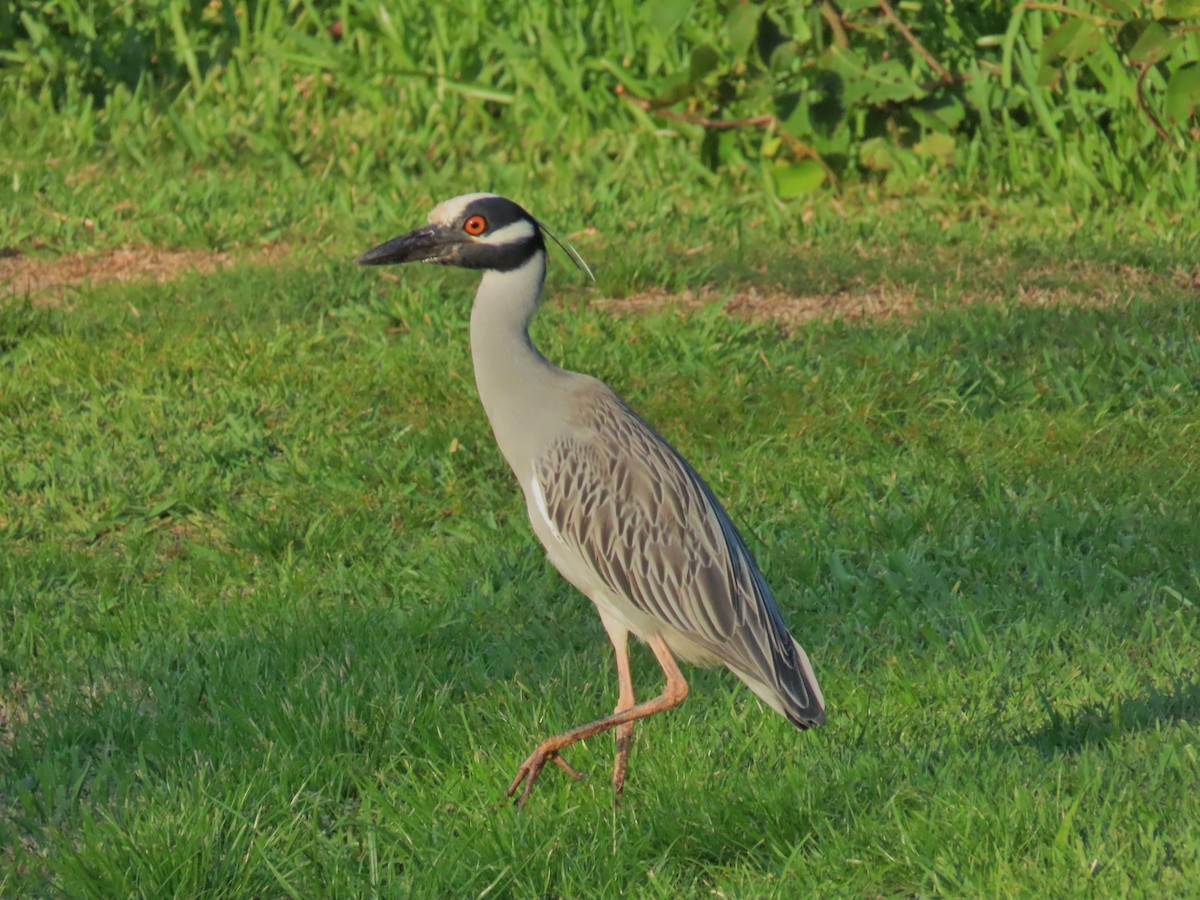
x=273, y=622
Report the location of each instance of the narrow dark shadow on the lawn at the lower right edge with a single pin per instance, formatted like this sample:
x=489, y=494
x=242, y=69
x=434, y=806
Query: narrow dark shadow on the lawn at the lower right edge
x=1099, y=723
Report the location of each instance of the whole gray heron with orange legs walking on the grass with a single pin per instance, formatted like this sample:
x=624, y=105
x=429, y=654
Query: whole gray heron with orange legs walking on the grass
x=621, y=514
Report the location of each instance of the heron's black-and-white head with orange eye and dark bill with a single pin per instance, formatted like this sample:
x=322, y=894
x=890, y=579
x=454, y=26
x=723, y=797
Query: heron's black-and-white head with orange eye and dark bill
x=477, y=231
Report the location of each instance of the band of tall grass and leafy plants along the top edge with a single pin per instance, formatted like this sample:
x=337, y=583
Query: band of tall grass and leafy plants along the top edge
x=1096, y=99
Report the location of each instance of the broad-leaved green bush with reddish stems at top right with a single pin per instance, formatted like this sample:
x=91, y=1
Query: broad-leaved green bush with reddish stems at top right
x=1106, y=92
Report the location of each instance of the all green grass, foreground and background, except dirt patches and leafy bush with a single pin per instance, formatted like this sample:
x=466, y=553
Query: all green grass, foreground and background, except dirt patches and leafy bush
x=272, y=619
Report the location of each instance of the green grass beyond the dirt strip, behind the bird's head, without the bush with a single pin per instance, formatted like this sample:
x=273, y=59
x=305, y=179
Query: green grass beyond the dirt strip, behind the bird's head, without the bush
x=224, y=125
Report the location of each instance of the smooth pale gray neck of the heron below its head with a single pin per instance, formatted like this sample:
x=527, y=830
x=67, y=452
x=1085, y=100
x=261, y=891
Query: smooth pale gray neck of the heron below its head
x=518, y=386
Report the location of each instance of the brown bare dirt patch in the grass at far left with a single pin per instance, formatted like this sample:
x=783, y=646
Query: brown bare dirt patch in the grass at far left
x=47, y=283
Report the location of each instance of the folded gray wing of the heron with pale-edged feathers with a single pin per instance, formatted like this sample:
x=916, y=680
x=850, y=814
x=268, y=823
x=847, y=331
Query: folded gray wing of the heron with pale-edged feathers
x=652, y=531
